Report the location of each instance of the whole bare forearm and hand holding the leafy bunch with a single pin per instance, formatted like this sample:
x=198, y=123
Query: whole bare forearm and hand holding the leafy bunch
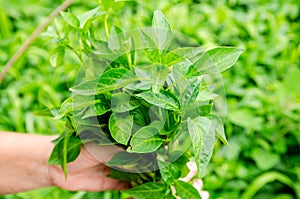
x=23, y=166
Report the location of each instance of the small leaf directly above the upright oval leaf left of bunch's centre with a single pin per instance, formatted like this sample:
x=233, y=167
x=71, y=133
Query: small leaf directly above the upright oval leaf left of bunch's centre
x=122, y=102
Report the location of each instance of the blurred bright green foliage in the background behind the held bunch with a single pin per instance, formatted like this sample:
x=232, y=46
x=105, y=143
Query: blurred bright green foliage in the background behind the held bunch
x=263, y=88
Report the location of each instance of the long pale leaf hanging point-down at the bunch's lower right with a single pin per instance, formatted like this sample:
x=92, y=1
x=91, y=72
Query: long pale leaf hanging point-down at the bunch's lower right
x=203, y=140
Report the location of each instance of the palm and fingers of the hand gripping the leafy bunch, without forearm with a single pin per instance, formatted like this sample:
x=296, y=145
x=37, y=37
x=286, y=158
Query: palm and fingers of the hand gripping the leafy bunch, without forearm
x=88, y=172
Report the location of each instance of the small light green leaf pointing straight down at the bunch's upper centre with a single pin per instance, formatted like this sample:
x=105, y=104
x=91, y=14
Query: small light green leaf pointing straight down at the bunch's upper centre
x=158, y=76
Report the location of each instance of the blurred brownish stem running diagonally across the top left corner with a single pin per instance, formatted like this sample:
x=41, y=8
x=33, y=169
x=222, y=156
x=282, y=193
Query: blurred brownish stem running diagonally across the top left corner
x=32, y=37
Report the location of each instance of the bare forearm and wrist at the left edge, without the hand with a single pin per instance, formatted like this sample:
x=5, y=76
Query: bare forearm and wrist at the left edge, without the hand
x=24, y=159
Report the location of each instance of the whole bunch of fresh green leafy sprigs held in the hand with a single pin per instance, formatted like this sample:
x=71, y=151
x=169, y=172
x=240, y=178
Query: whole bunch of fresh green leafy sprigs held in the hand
x=151, y=96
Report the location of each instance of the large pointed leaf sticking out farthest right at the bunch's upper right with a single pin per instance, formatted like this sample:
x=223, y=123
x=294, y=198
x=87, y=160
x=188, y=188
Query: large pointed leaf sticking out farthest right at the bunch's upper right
x=216, y=60
